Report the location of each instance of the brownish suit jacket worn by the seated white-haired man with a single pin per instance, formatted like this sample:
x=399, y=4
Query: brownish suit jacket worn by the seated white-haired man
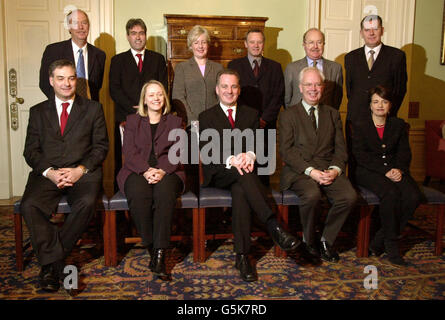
x=301, y=147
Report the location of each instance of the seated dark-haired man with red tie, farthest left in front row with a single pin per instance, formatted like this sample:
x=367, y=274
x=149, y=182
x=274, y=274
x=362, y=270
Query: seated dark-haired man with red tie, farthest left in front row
x=65, y=146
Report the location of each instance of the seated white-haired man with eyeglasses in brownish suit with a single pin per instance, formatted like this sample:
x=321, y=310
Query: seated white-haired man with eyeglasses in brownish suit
x=314, y=152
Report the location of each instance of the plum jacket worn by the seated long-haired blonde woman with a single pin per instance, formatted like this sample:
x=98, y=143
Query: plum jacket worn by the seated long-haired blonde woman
x=137, y=146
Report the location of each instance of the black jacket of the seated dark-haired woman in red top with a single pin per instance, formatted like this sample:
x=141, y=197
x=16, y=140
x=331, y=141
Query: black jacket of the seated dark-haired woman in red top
x=381, y=155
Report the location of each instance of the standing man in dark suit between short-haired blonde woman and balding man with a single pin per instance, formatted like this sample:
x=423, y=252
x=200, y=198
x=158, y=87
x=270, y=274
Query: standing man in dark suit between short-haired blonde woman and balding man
x=262, y=83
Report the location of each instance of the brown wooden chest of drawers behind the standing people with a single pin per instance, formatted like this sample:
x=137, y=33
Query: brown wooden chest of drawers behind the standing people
x=226, y=32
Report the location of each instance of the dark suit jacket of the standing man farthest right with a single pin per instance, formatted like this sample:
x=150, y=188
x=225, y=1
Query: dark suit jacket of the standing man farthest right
x=389, y=70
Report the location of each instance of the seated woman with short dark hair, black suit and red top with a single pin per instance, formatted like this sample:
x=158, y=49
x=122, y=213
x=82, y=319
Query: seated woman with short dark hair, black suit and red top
x=381, y=149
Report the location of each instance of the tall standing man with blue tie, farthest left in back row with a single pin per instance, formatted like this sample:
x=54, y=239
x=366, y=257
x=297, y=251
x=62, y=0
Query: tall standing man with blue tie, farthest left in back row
x=88, y=59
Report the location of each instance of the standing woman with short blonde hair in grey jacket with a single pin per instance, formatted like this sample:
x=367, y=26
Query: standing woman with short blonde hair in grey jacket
x=195, y=79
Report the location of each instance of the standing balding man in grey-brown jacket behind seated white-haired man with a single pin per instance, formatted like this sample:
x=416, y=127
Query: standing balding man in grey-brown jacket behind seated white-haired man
x=313, y=44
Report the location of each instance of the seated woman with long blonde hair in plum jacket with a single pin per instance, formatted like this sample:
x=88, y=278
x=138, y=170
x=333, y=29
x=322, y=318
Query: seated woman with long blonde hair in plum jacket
x=149, y=180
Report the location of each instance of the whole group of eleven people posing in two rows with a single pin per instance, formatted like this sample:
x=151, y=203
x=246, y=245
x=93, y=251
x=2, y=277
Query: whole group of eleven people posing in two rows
x=67, y=140
